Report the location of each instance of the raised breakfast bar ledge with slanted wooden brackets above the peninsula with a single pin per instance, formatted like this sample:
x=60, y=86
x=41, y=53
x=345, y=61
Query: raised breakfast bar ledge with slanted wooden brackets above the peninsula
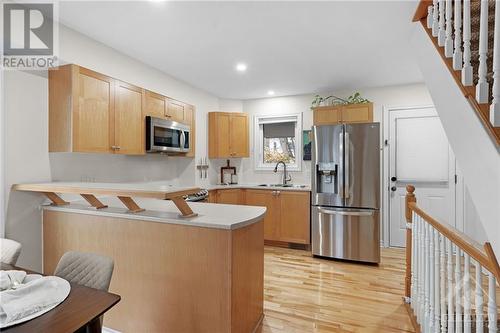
x=124, y=192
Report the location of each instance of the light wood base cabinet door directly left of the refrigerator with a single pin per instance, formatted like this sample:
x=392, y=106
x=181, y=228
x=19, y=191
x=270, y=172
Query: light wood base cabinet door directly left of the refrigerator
x=295, y=217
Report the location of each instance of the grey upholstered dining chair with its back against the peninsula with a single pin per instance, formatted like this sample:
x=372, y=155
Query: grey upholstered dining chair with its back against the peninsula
x=89, y=270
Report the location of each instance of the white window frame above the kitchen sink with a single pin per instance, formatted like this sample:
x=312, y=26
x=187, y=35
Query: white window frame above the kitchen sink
x=259, y=120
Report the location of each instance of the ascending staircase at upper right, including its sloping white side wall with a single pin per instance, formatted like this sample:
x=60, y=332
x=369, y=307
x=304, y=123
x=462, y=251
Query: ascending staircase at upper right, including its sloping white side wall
x=454, y=45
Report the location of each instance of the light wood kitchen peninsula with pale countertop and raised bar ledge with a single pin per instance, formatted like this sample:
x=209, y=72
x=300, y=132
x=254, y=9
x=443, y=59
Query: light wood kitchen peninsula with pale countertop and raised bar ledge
x=202, y=273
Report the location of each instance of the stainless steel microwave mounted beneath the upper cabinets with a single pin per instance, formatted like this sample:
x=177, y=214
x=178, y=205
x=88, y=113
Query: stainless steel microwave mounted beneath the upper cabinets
x=164, y=135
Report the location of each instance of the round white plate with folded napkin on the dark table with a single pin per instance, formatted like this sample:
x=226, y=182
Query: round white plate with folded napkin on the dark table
x=31, y=299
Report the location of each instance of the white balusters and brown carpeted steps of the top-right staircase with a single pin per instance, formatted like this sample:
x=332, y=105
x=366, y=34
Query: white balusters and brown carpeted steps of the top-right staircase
x=455, y=29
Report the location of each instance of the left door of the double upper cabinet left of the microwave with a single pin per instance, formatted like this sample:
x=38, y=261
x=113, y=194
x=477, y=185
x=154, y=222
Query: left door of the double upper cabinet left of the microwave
x=93, y=125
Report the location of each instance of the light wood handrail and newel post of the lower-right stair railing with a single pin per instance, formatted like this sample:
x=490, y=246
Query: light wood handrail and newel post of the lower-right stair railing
x=481, y=253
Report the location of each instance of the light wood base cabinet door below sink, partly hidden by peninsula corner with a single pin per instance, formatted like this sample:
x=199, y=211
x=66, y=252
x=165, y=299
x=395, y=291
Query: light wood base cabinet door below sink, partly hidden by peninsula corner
x=272, y=218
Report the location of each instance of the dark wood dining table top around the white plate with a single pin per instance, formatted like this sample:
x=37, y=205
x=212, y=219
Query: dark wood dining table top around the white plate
x=82, y=305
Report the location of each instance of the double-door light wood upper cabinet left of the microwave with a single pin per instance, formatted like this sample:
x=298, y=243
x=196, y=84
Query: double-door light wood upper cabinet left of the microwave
x=91, y=112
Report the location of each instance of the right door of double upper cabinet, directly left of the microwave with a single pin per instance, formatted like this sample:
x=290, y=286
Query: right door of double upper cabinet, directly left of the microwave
x=129, y=129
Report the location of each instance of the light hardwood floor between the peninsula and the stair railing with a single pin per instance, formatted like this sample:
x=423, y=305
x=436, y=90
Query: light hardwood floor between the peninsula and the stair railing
x=305, y=294
